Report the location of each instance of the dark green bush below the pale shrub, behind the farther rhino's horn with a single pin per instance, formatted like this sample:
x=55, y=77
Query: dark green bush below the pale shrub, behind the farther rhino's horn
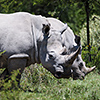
x=95, y=57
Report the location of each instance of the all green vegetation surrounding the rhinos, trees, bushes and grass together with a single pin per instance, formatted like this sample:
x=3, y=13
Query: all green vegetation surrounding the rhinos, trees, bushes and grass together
x=40, y=81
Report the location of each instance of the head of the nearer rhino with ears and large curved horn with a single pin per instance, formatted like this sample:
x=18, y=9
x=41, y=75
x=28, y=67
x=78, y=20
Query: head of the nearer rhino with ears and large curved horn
x=52, y=52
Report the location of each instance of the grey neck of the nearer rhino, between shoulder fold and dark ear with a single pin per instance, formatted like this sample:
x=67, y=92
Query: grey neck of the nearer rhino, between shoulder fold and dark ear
x=37, y=25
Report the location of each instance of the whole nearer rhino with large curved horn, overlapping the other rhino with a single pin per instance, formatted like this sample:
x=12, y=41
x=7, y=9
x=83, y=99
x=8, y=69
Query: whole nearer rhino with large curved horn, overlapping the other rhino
x=30, y=39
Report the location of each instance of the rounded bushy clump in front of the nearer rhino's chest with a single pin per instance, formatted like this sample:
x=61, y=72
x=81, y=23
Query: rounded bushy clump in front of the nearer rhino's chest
x=35, y=76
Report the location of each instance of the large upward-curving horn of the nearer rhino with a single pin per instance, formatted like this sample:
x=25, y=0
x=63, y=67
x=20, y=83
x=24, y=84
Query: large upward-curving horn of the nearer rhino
x=70, y=58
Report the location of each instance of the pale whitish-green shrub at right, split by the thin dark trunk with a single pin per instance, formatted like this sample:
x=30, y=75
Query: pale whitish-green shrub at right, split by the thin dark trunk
x=94, y=27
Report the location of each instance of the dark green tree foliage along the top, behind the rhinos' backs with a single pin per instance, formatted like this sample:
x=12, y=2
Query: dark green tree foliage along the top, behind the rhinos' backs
x=70, y=11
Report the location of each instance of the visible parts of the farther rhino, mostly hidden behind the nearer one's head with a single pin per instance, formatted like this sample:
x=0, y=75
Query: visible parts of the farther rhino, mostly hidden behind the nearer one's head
x=77, y=70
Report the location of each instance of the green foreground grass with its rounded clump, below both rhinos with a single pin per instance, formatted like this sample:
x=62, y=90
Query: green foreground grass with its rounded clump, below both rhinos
x=46, y=87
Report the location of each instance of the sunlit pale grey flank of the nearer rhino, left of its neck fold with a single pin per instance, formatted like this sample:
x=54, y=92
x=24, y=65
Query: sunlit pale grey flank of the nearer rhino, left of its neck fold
x=15, y=32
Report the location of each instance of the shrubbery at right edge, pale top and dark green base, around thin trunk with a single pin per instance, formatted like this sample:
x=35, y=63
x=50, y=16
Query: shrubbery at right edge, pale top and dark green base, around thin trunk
x=94, y=27
